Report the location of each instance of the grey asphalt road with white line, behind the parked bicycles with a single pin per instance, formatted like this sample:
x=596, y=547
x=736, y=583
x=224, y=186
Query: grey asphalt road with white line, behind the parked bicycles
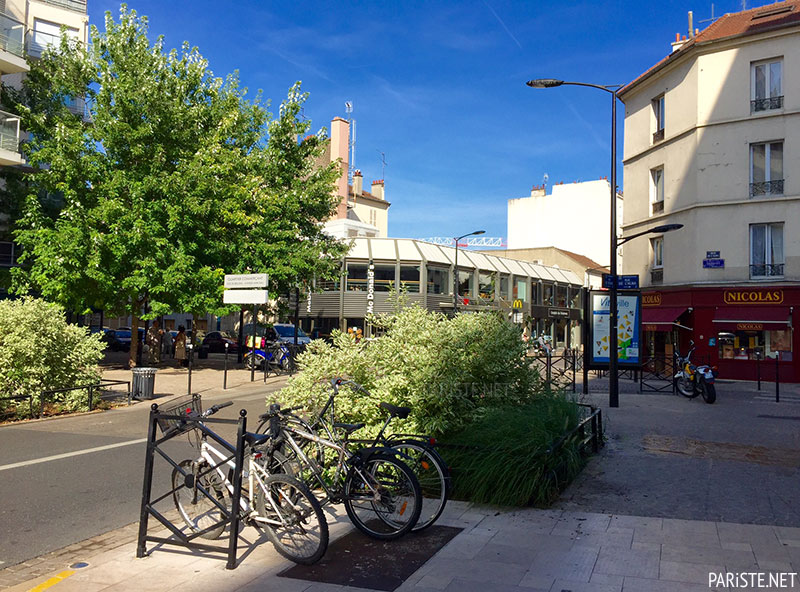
x=56, y=490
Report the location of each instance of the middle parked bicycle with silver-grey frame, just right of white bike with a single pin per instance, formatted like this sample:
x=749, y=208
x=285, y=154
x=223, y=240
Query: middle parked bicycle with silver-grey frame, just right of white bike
x=380, y=493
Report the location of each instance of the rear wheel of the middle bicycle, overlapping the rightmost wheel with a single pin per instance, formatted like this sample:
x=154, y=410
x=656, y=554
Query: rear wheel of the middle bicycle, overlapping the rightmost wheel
x=382, y=497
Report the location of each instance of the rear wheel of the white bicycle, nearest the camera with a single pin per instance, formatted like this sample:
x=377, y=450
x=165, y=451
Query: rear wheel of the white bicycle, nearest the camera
x=302, y=535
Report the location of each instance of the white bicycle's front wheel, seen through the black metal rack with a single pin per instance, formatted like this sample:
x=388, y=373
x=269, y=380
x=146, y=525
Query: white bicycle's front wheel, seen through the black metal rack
x=198, y=510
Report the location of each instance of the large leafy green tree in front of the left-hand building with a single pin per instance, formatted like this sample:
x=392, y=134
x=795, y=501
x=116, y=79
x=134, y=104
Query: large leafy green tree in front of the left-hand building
x=171, y=179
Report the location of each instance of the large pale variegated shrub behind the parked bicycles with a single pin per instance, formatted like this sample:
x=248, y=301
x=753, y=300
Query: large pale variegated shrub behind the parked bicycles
x=448, y=370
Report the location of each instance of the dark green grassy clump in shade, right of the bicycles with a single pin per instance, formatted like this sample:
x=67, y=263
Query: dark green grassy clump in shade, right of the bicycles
x=502, y=458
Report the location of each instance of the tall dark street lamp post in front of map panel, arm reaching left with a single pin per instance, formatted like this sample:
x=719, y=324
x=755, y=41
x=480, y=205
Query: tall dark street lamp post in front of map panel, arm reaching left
x=613, y=356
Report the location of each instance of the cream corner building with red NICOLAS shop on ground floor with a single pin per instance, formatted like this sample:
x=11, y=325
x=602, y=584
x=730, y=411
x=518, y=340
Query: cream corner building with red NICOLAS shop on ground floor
x=712, y=133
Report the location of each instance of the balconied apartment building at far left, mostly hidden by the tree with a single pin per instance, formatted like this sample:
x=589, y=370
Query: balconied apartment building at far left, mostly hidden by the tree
x=27, y=27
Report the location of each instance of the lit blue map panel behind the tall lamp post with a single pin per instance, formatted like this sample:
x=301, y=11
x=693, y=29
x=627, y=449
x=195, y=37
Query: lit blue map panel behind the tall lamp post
x=629, y=321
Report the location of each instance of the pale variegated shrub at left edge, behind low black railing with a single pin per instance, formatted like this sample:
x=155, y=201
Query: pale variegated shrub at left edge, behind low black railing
x=39, y=351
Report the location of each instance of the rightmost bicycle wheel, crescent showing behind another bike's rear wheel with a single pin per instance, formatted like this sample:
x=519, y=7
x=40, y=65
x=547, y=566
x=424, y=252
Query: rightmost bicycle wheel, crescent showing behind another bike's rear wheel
x=434, y=479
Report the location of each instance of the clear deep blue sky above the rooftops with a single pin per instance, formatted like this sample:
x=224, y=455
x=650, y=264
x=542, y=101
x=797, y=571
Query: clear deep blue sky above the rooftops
x=438, y=87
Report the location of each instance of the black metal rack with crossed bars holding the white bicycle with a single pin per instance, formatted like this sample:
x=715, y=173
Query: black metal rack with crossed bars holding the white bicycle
x=231, y=516
